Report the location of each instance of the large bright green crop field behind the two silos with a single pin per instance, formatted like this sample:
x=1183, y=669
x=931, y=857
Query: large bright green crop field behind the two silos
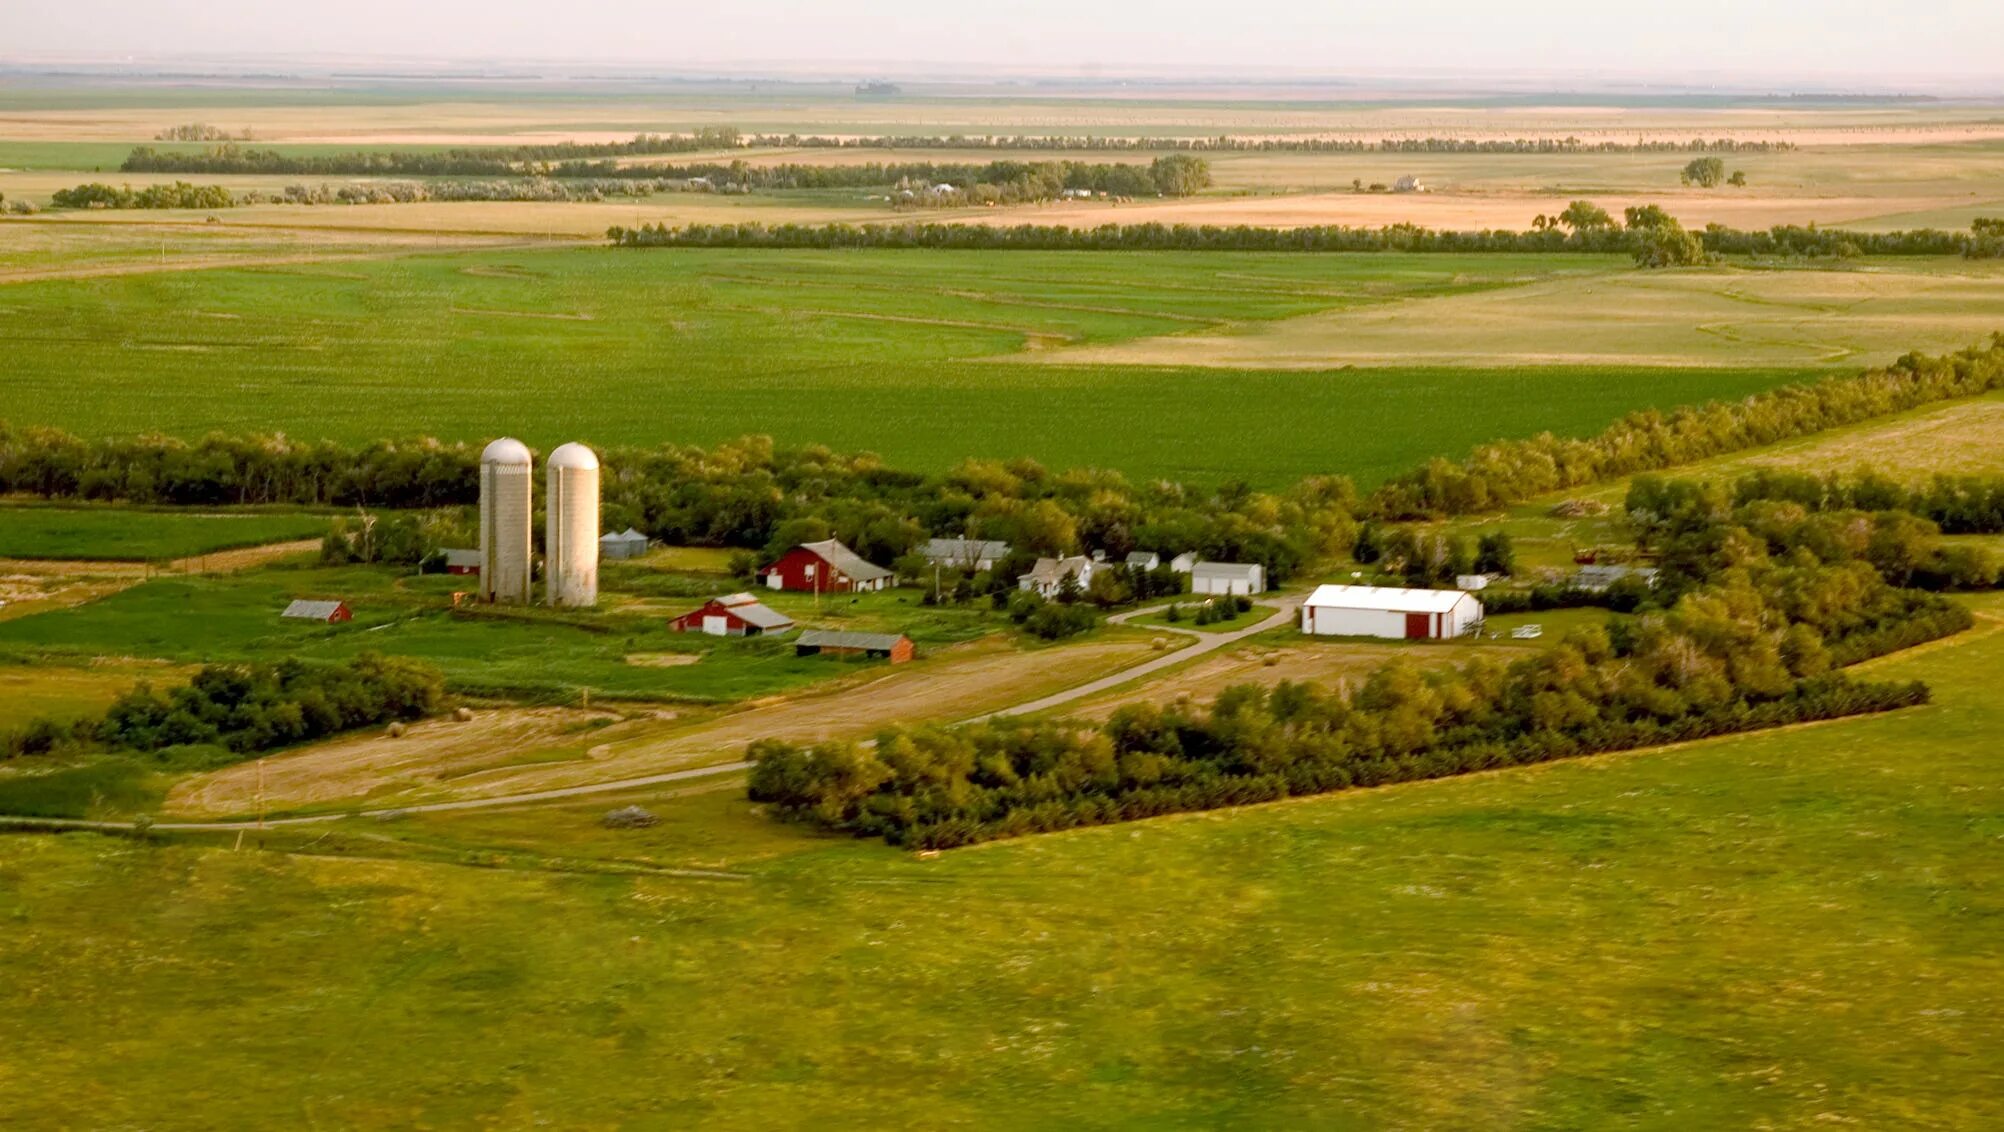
x=903, y=354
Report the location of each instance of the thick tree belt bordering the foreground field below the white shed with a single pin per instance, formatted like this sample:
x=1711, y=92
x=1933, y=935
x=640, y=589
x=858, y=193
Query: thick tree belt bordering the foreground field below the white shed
x=1724, y=660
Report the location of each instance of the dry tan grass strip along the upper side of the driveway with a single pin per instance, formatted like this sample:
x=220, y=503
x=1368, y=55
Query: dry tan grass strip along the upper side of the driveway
x=526, y=750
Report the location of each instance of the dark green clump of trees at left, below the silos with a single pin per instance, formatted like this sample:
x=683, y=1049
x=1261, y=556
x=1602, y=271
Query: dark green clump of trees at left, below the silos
x=249, y=708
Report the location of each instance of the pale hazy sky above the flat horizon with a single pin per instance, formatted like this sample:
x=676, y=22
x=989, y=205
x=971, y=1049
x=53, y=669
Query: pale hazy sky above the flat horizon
x=1865, y=41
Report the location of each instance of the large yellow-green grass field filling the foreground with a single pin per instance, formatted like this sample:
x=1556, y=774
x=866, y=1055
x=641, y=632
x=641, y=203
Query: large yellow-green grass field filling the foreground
x=1783, y=929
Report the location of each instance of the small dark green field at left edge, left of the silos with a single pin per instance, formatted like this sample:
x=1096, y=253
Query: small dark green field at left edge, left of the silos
x=105, y=534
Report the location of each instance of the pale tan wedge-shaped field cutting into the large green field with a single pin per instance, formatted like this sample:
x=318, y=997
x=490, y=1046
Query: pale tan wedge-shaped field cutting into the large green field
x=1702, y=318
